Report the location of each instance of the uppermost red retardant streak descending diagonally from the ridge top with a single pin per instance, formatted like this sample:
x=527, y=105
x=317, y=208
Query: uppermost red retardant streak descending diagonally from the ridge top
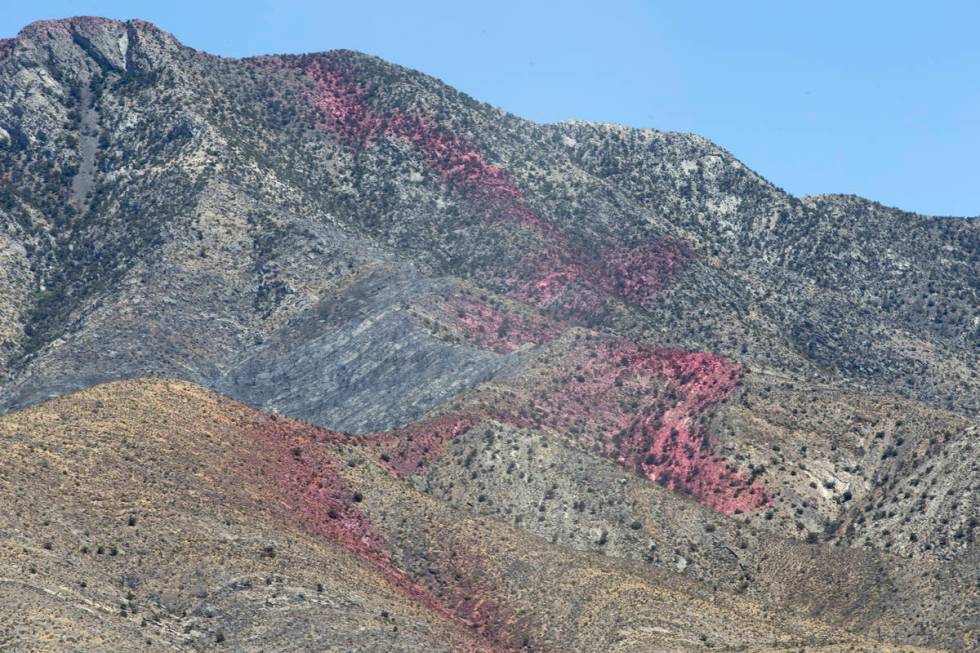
x=636, y=275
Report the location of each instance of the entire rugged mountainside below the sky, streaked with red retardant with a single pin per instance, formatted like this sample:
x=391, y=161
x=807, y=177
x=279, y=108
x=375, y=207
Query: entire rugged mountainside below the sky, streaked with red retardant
x=608, y=381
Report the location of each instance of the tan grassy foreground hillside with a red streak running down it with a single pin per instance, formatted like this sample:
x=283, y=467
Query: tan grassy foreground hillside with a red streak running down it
x=154, y=514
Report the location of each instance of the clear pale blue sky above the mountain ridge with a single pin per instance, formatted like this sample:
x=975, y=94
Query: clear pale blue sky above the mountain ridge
x=877, y=98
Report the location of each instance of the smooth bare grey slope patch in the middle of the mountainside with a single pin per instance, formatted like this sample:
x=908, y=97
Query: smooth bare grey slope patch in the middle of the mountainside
x=329, y=366
